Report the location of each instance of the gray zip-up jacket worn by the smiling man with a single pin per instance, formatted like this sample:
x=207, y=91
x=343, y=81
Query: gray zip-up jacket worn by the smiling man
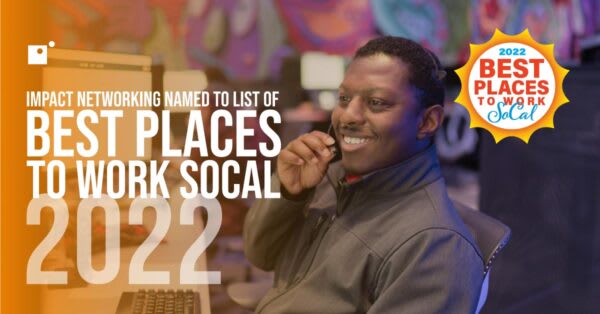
x=390, y=242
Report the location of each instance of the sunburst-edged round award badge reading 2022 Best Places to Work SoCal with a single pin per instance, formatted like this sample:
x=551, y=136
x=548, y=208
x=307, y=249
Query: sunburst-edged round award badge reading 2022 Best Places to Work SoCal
x=512, y=85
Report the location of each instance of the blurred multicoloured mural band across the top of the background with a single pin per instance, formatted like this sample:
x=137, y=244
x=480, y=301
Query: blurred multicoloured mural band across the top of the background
x=248, y=39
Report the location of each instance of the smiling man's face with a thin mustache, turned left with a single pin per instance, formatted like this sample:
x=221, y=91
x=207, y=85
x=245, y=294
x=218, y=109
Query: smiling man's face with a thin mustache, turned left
x=377, y=117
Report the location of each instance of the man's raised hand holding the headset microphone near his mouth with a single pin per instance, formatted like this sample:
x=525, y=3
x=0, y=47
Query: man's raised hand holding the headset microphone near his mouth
x=302, y=164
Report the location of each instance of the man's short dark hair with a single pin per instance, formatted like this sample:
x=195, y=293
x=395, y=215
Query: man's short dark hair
x=426, y=72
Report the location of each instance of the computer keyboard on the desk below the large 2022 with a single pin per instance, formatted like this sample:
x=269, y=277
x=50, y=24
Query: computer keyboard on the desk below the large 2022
x=159, y=302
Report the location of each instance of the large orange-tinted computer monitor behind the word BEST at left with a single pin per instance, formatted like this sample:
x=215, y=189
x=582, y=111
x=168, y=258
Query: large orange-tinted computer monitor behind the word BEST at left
x=78, y=70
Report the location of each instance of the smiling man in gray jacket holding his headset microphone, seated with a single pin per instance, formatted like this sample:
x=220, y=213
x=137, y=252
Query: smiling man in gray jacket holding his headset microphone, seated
x=375, y=232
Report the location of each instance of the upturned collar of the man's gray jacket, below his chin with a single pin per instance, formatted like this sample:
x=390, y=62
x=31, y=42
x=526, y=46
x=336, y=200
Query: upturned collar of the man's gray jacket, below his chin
x=413, y=173
